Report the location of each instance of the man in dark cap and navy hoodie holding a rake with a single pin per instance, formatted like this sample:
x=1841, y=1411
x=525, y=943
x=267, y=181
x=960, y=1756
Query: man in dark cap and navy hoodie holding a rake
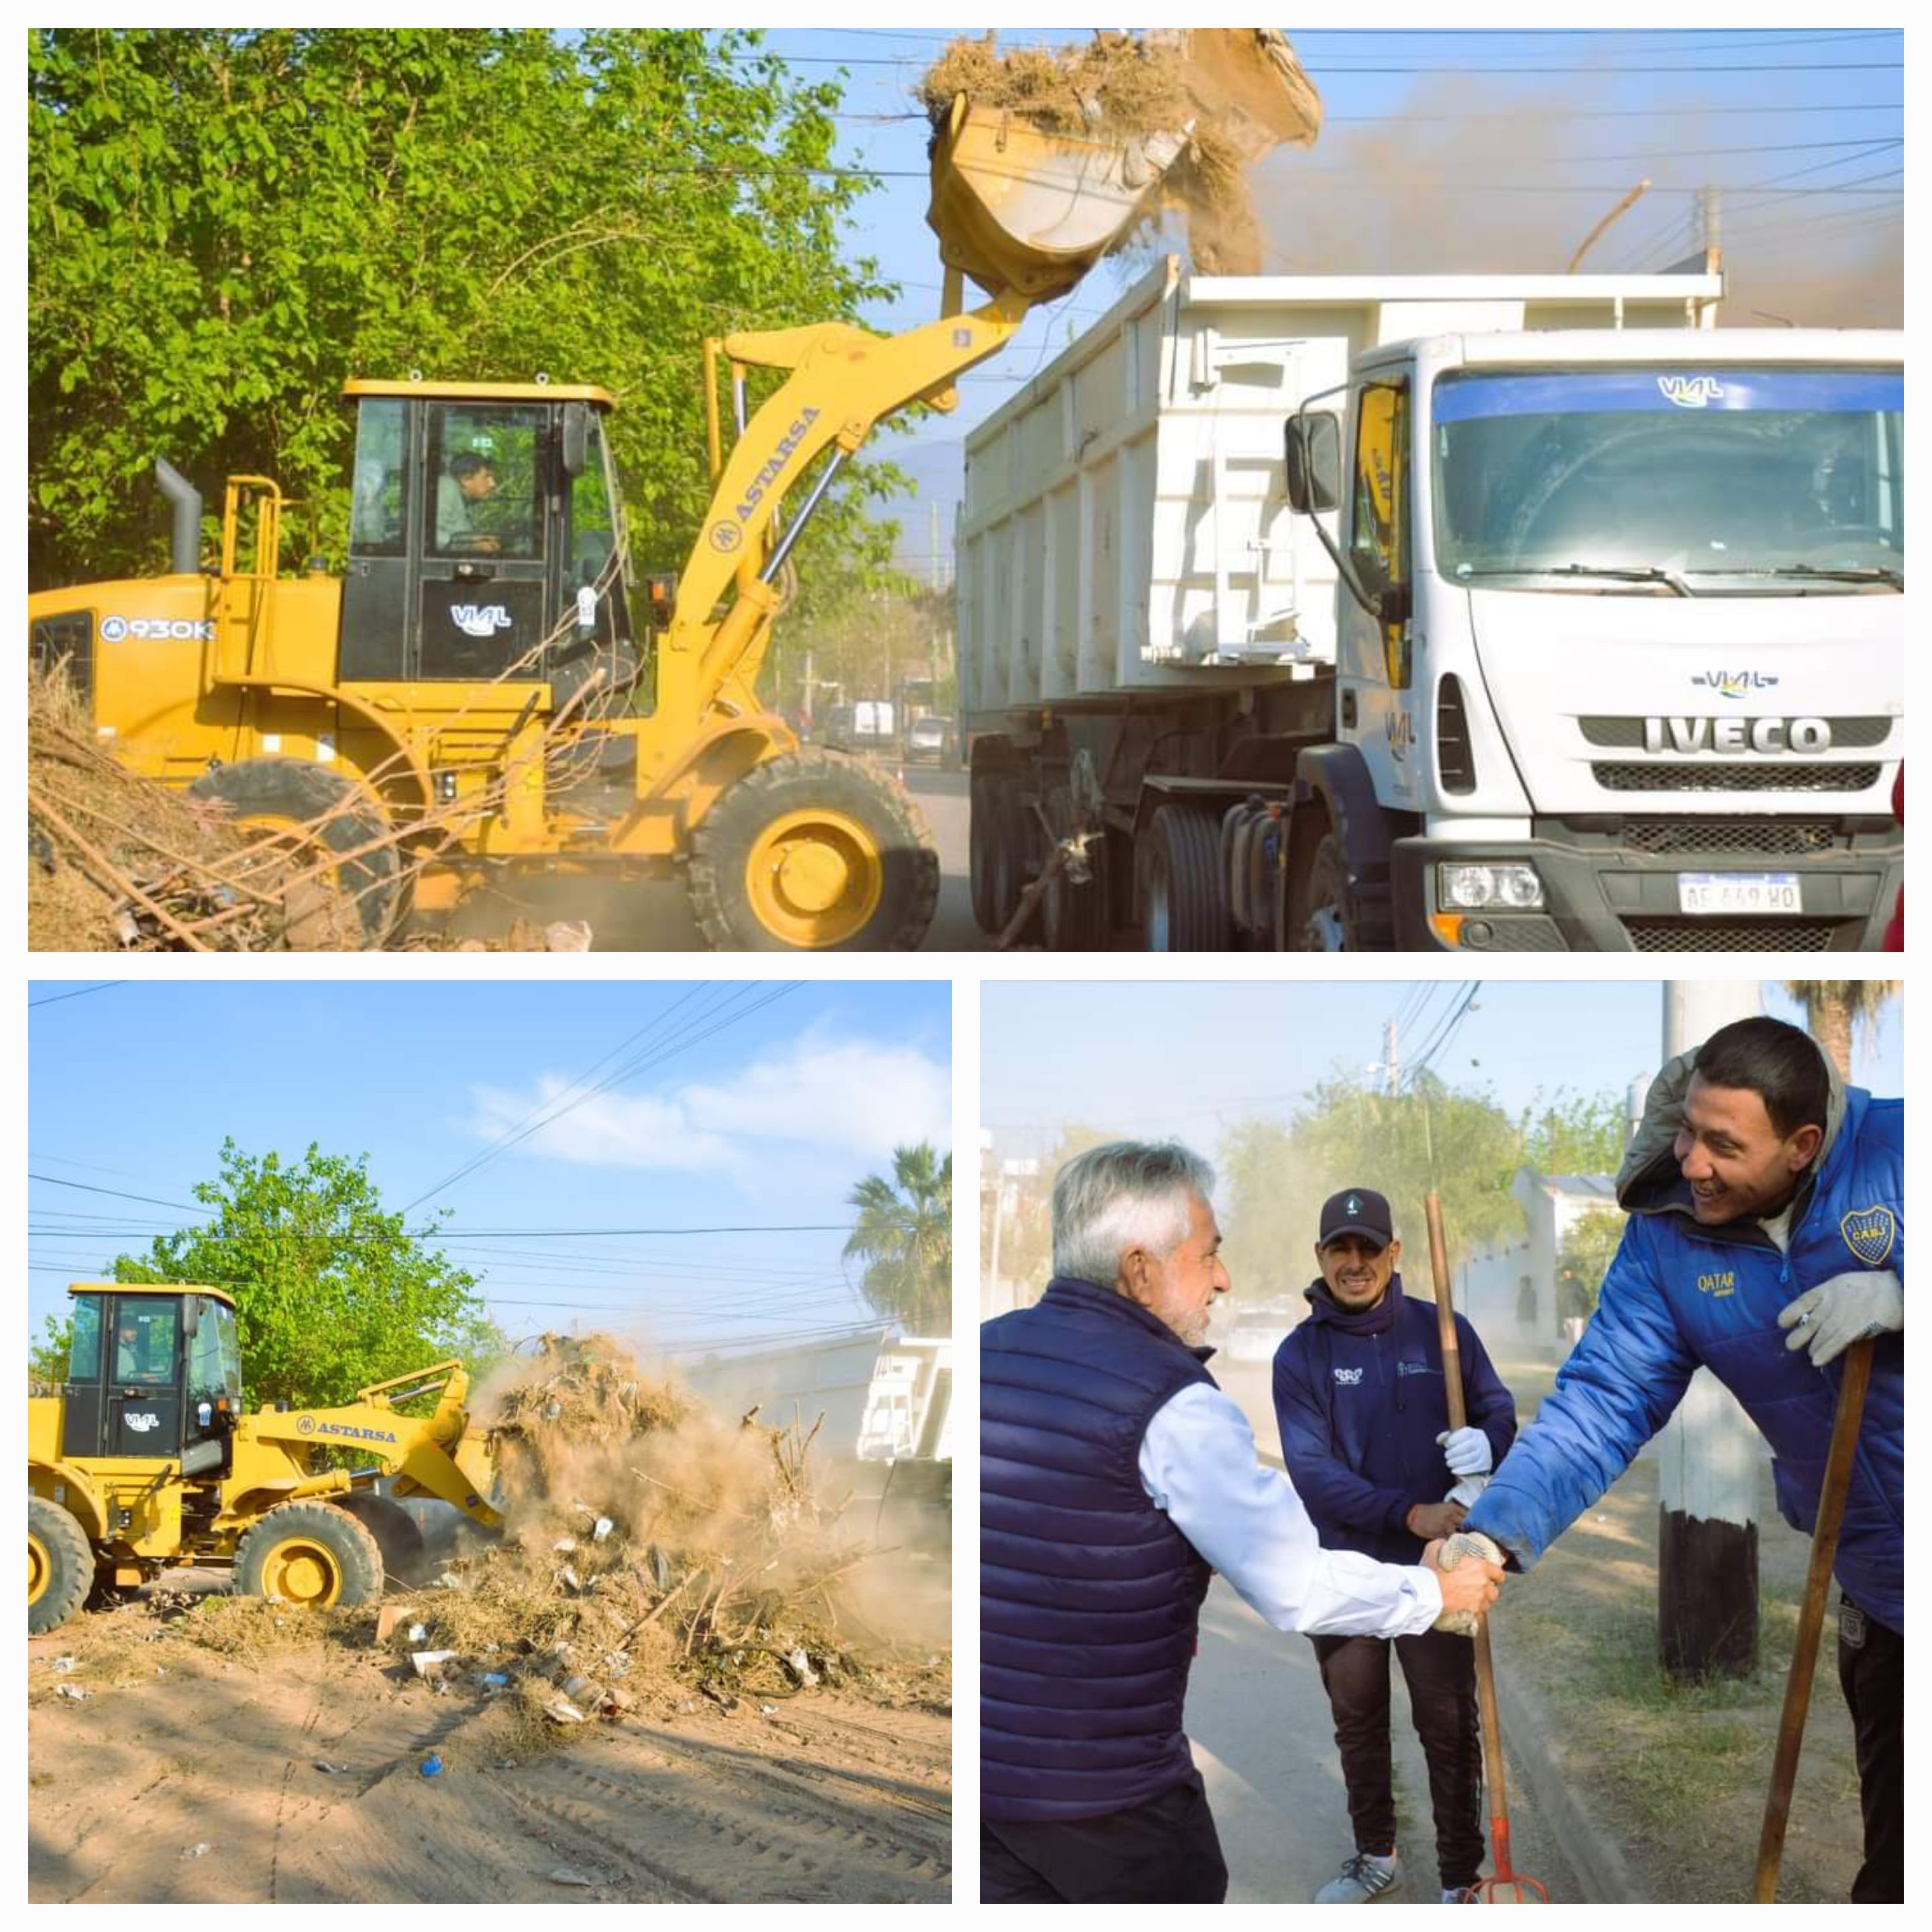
x=1365, y=1433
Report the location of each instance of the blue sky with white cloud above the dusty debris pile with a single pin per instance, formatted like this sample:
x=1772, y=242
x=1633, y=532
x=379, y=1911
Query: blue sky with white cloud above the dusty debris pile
x=768, y=1122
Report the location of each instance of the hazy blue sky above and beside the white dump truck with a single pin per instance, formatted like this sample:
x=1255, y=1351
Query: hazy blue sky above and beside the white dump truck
x=1458, y=152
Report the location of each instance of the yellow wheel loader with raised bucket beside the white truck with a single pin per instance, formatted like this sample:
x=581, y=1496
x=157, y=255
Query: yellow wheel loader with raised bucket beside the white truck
x=486, y=689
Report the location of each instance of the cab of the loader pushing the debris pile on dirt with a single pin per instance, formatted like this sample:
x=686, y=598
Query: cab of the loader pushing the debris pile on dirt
x=152, y=1373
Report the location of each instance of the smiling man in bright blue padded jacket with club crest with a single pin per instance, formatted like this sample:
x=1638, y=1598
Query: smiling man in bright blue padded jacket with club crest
x=1767, y=1236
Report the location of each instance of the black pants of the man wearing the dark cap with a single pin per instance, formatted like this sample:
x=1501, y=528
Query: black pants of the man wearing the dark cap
x=1440, y=1670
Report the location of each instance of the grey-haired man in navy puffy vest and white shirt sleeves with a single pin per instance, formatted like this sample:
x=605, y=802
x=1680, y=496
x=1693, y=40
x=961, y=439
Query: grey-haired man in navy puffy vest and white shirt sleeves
x=1116, y=1479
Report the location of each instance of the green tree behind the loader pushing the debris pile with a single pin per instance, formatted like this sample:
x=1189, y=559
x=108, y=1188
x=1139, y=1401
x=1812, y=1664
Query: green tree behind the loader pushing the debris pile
x=331, y=1292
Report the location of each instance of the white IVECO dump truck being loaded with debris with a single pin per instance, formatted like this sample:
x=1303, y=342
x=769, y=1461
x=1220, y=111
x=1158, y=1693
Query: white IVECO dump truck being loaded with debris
x=1465, y=613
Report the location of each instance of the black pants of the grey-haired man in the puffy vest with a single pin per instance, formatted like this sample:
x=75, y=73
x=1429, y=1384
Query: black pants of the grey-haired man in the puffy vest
x=1158, y=1854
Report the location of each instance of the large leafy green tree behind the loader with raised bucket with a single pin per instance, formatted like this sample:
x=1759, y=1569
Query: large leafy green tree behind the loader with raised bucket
x=225, y=225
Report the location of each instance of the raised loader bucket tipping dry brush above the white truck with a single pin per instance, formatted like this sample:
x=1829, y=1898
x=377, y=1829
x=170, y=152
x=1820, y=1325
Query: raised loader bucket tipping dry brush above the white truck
x=1029, y=212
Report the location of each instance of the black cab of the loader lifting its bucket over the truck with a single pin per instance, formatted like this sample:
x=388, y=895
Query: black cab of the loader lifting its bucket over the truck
x=484, y=538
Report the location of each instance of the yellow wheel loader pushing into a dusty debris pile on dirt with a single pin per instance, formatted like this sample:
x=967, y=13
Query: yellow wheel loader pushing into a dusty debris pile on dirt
x=146, y=1462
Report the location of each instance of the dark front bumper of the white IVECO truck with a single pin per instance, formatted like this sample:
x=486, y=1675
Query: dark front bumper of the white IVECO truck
x=1605, y=894
